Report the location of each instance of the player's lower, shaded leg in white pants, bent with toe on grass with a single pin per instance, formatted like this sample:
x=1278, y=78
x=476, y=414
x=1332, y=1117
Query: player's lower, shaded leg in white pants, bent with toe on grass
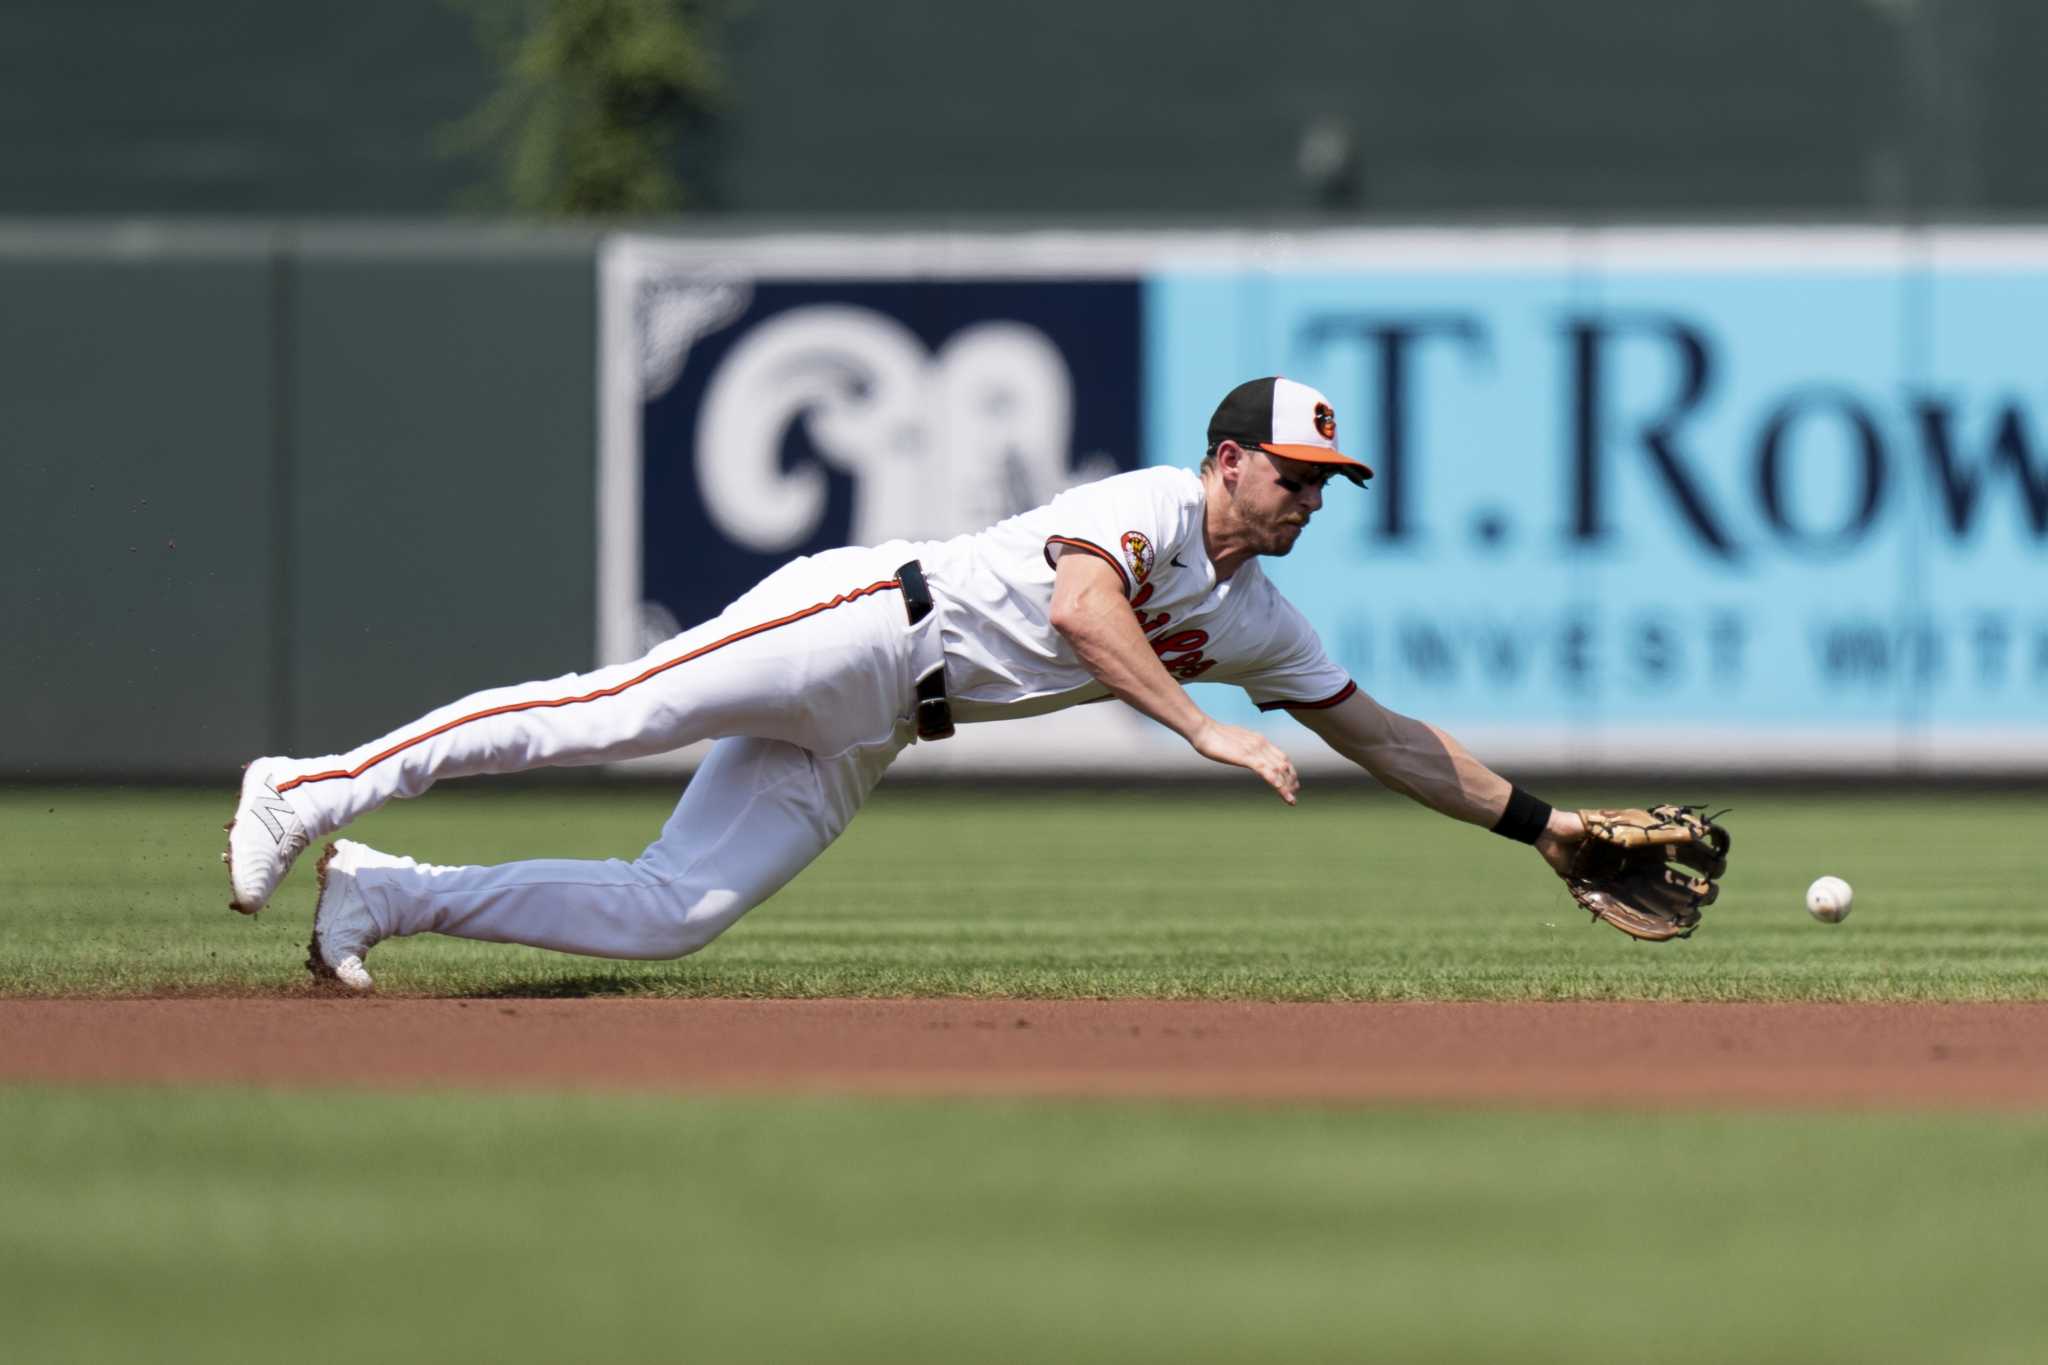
x=755, y=816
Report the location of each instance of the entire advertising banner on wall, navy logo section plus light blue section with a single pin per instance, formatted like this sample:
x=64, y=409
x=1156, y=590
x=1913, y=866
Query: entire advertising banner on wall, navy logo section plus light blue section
x=1764, y=500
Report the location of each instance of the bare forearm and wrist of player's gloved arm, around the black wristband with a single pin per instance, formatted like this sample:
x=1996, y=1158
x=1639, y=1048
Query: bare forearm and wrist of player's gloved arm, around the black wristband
x=1426, y=764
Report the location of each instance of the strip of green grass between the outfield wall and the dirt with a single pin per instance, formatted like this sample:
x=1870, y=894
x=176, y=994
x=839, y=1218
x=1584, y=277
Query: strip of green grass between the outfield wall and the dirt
x=1195, y=891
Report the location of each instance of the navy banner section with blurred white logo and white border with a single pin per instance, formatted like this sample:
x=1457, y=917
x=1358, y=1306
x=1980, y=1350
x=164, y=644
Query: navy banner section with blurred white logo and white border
x=769, y=402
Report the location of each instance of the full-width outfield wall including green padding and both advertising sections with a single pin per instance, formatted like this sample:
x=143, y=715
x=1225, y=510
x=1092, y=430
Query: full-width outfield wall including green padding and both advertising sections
x=1664, y=500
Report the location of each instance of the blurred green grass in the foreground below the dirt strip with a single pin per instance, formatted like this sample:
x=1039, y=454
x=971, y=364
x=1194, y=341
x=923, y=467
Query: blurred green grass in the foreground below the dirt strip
x=257, y=1227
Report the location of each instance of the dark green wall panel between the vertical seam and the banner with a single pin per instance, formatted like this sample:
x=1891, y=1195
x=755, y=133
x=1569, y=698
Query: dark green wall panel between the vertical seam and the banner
x=445, y=509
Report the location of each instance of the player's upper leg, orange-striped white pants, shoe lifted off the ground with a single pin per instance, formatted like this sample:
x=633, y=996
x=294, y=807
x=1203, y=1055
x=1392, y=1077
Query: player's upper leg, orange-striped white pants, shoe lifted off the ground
x=820, y=656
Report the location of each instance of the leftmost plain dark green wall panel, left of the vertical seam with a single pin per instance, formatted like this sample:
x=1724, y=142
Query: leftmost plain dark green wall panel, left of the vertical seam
x=138, y=490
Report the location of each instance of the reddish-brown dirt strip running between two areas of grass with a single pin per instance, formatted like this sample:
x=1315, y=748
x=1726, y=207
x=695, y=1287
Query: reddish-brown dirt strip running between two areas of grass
x=1617, y=1055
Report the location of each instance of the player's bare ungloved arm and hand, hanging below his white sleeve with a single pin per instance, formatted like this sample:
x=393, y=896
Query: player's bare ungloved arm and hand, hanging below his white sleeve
x=1091, y=613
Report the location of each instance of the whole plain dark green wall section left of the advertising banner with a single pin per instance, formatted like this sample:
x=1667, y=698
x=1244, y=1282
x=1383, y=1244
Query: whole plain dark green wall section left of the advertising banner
x=284, y=488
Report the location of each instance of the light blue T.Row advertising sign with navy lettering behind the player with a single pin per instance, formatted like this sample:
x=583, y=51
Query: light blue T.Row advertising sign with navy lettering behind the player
x=1752, y=500
